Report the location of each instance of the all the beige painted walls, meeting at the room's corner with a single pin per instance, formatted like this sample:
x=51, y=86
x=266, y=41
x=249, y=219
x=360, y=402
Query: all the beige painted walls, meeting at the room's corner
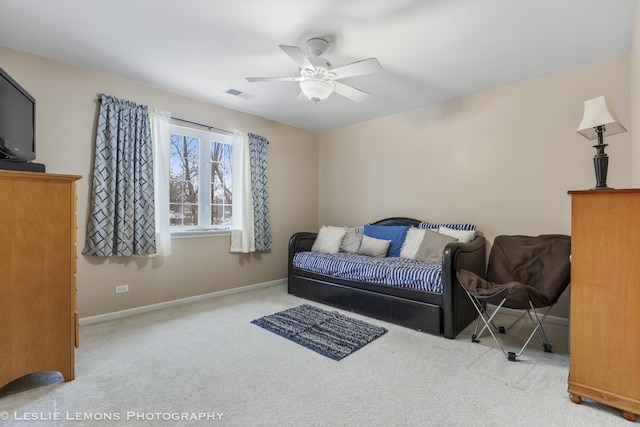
x=503, y=159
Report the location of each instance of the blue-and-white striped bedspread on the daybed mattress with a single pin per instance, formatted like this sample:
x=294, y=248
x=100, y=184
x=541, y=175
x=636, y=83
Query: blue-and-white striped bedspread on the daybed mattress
x=393, y=271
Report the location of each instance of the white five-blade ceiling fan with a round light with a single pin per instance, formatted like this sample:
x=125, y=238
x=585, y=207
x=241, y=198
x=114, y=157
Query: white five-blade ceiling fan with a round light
x=317, y=78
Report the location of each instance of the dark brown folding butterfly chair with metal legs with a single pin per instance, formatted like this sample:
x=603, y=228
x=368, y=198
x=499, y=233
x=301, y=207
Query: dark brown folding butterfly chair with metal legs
x=523, y=273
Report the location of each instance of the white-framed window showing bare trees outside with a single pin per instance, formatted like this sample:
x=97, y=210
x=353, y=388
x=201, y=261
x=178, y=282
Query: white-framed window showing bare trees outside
x=201, y=180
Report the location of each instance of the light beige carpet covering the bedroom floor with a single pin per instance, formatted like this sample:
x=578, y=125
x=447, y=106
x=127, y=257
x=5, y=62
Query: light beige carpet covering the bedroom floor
x=206, y=363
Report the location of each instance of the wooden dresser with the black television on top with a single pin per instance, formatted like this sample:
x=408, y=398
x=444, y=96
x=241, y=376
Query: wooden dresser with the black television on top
x=38, y=318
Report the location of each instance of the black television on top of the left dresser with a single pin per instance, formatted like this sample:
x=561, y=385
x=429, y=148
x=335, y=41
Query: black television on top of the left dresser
x=17, y=124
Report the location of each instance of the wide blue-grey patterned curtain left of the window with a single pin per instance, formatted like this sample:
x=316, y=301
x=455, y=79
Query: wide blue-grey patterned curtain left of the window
x=122, y=217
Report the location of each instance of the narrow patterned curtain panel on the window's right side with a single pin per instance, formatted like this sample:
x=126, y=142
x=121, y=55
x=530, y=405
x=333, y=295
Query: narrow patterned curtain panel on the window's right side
x=258, y=161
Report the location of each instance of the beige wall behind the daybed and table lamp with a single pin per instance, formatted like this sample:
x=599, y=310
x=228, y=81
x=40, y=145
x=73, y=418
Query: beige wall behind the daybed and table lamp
x=503, y=159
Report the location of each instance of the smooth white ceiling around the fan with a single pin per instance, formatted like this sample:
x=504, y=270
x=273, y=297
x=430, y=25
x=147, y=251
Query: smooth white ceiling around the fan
x=431, y=50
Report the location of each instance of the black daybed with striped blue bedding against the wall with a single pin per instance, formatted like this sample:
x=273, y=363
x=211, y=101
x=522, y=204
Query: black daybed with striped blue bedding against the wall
x=440, y=307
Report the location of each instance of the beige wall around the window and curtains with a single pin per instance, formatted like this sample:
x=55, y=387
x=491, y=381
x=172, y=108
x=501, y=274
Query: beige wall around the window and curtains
x=66, y=99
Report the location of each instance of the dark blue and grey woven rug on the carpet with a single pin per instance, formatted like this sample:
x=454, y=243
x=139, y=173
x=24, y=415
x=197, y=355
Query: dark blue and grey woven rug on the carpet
x=326, y=332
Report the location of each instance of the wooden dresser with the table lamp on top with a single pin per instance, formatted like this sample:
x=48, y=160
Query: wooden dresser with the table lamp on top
x=605, y=299
